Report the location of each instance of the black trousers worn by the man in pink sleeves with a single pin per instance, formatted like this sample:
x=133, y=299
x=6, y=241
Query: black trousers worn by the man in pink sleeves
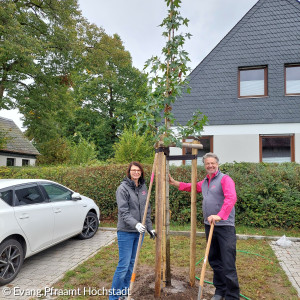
x=222, y=256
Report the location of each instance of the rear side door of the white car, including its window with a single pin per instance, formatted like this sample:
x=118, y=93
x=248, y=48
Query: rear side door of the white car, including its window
x=34, y=215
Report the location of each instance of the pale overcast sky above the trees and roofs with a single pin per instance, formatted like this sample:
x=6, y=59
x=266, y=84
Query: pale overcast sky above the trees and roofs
x=137, y=23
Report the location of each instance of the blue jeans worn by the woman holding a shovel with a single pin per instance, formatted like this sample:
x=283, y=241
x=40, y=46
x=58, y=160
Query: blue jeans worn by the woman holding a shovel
x=128, y=243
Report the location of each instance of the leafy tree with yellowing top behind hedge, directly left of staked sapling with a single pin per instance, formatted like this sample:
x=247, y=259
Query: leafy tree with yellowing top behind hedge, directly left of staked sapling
x=108, y=91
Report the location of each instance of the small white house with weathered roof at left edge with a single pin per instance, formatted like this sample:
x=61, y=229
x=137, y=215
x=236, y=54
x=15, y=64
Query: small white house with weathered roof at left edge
x=17, y=150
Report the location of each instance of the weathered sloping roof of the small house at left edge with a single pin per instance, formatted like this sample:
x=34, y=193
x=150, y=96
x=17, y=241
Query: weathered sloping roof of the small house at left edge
x=16, y=141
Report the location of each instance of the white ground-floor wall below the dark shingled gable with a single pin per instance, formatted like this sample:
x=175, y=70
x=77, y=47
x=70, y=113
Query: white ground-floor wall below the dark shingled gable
x=240, y=143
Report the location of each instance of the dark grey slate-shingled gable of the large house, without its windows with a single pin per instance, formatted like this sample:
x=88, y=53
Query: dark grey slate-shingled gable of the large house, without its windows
x=269, y=34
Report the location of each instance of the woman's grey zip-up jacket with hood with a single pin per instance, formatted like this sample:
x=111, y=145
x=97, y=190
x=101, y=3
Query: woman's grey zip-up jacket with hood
x=131, y=200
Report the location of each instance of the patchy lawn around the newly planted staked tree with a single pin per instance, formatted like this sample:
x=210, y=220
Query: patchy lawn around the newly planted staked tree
x=260, y=276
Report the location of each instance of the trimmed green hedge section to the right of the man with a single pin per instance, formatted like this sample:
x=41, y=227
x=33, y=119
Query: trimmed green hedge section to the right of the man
x=268, y=194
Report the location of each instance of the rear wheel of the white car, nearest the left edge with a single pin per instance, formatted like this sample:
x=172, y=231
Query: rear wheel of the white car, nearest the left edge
x=11, y=260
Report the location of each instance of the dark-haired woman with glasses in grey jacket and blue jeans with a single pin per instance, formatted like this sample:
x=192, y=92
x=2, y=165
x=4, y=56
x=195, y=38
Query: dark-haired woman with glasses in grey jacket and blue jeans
x=131, y=199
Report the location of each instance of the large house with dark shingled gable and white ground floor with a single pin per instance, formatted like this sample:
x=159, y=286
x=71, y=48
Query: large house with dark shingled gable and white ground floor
x=249, y=88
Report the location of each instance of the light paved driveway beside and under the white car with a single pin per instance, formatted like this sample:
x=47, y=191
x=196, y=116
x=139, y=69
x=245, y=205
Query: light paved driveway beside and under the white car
x=47, y=267
